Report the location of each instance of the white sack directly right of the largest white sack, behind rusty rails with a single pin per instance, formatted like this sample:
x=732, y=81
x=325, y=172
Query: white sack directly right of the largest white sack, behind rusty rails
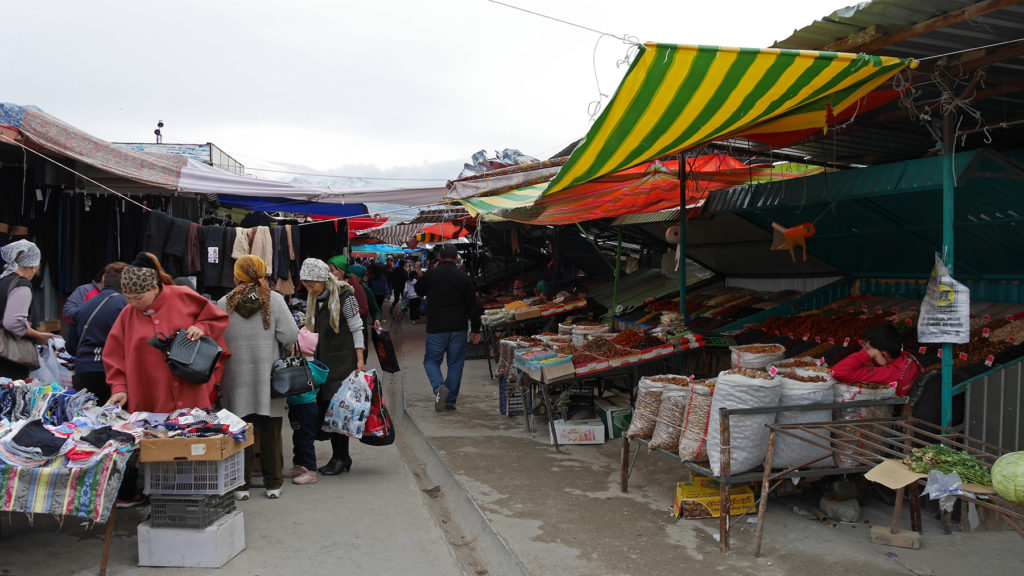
x=791, y=451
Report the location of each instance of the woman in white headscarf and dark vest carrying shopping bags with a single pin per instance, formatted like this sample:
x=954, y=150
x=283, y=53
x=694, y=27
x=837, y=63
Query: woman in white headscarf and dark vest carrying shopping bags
x=333, y=314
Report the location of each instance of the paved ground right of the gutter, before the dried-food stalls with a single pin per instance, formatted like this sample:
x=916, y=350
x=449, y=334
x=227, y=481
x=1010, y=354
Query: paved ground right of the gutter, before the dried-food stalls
x=563, y=513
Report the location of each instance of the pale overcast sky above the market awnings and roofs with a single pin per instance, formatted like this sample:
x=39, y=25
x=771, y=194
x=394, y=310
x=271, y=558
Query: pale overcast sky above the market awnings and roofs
x=406, y=89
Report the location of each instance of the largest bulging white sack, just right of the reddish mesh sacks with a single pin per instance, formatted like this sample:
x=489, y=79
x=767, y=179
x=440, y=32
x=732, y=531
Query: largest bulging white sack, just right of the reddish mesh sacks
x=748, y=433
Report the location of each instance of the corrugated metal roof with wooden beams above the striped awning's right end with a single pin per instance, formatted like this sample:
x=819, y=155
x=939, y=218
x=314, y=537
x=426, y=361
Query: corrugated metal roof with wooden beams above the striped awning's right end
x=890, y=133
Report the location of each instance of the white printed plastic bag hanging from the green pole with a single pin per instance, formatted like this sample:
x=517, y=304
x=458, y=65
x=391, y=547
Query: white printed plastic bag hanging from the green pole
x=946, y=312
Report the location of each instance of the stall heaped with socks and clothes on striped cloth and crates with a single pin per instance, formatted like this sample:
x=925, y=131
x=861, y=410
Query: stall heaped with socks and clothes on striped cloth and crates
x=63, y=456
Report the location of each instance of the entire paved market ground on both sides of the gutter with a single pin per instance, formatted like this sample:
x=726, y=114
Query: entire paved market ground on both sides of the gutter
x=559, y=513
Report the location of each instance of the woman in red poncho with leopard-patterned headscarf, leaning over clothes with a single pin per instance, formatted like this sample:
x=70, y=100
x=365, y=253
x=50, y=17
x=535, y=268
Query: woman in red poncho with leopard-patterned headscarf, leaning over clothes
x=138, y=373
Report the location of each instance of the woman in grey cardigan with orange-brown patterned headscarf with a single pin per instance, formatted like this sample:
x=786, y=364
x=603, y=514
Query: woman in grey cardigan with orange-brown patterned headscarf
x=261, y=327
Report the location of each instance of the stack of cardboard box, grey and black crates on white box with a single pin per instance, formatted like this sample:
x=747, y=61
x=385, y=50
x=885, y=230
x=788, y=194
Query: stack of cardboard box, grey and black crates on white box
x=193, y=522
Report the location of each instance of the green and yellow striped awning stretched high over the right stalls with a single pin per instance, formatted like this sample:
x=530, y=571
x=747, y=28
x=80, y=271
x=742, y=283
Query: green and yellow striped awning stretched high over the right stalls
x=677, y=98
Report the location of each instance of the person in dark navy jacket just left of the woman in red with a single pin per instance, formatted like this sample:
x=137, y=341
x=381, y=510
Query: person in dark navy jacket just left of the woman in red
x=91, y=324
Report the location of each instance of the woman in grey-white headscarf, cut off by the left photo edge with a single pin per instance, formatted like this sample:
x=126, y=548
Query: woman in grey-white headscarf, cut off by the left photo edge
x=22, y=261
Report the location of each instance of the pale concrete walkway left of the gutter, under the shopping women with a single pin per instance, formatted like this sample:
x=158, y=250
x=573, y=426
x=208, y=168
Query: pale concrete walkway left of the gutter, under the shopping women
x=371, y=521
